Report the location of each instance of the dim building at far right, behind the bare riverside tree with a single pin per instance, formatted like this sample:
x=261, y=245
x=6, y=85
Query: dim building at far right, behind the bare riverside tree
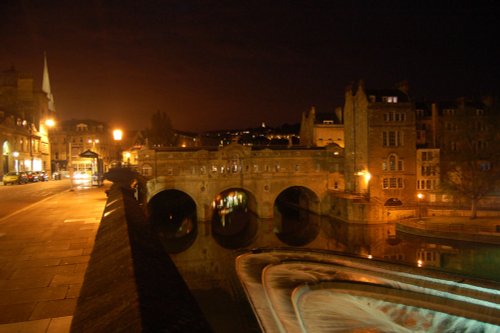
x=458, y=148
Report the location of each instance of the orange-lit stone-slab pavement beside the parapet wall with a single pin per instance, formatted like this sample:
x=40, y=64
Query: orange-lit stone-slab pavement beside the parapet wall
x=44, y=251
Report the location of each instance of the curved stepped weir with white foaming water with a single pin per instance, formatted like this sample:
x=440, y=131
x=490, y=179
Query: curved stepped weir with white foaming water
x=301, y=291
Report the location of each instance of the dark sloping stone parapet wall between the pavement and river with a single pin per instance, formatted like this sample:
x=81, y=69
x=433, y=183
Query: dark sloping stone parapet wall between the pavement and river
x=131, y=284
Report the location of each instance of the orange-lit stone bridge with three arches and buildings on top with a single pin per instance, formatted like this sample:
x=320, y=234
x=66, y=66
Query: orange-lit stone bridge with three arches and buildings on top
x=263, y=173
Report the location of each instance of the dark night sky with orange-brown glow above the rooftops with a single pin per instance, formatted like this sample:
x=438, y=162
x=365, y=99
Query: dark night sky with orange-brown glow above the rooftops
x=234, y=64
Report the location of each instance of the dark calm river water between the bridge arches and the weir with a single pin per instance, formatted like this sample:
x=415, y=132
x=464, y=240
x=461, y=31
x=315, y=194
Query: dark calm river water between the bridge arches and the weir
x=207, y=261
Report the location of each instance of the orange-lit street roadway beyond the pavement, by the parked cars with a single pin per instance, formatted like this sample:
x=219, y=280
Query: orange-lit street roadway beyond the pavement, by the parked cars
x=16, y=197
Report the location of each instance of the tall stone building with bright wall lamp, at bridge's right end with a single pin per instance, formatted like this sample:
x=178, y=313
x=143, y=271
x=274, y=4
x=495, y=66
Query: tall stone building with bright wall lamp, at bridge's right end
x=380, y=145
